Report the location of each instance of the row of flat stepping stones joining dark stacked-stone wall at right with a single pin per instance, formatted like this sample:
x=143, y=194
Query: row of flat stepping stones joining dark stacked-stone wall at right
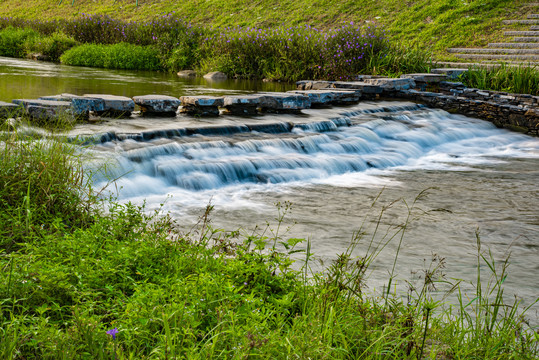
x=519, y=112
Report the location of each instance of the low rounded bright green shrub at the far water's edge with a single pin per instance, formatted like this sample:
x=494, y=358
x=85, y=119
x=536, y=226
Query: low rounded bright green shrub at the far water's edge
x=118, y=56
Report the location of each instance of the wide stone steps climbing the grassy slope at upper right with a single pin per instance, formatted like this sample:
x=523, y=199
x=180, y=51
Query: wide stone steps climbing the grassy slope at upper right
x=521, y=49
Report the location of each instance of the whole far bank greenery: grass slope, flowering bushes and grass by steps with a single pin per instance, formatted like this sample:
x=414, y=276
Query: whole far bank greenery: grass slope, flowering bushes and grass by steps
x=332, y=51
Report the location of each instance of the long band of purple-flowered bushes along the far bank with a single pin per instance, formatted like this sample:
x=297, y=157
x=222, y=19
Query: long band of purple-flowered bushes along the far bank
x=282, y=53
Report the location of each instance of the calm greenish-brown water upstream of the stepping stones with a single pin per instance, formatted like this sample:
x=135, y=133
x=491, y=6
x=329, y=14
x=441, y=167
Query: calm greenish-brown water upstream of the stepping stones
x=31, y=79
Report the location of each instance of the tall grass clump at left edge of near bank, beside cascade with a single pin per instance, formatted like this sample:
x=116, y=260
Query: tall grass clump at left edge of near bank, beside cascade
x=41, y=185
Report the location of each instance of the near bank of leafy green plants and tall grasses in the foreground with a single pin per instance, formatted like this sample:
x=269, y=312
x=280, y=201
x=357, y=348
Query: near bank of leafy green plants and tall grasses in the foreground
x=79, y=282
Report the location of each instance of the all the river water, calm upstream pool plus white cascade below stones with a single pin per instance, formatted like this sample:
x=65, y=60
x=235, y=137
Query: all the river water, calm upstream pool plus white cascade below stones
x=476, y=177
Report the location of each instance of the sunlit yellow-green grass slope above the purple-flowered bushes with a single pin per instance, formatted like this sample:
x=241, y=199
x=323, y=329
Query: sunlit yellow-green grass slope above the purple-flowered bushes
x=429, y=24
